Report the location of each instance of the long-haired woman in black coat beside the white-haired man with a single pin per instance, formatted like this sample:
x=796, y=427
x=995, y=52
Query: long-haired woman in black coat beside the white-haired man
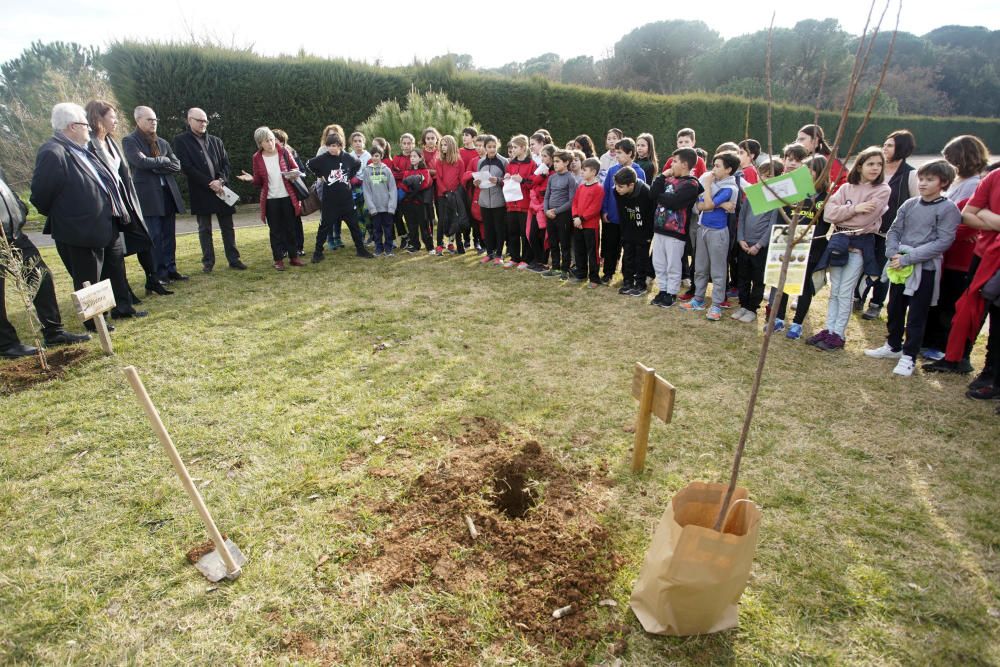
x=103, y=121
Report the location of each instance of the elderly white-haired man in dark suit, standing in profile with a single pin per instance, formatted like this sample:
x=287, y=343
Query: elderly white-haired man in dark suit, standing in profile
x=84, y=208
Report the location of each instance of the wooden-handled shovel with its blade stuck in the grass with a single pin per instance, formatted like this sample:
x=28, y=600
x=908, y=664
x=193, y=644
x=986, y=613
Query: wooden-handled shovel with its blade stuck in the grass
x=227, y=559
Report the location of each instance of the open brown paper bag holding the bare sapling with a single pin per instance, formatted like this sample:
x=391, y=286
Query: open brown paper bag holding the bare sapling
x=693, y=576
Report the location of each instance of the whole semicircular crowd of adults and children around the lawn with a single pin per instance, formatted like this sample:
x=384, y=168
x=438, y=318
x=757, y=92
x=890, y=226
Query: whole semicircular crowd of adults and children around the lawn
x=923, y=243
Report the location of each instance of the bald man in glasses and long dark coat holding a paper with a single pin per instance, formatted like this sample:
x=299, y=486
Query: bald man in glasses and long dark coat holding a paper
x=206, y=164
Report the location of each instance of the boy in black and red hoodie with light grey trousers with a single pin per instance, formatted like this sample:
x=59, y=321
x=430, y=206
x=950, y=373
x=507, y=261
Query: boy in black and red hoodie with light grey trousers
x=674, y=192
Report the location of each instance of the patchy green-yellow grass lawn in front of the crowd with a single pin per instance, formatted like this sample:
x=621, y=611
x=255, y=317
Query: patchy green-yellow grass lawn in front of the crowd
x=309, y=403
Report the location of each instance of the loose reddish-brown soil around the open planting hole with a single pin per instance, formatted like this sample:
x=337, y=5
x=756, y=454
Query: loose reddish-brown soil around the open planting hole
x=540, y=541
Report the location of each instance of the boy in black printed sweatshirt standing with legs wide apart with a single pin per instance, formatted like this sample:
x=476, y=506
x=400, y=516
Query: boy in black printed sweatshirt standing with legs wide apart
x=336, y=168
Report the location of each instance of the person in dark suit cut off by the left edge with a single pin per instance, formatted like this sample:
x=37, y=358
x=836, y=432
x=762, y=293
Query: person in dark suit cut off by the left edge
x=12, y=219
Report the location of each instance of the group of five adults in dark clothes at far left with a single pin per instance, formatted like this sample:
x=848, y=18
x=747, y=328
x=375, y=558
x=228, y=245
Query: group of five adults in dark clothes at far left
x=103, y=201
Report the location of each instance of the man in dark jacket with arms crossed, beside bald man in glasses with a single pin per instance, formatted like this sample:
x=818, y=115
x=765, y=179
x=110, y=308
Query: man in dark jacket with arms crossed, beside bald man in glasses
x=153, y=167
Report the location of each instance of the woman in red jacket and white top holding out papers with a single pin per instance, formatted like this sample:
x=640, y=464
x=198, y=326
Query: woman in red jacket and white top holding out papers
x=274, y=169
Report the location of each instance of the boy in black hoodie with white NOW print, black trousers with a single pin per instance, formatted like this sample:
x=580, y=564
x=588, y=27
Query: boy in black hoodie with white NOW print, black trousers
x=635, y=215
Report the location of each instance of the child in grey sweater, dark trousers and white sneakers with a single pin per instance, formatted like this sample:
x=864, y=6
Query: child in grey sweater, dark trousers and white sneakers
x=923, y=230
